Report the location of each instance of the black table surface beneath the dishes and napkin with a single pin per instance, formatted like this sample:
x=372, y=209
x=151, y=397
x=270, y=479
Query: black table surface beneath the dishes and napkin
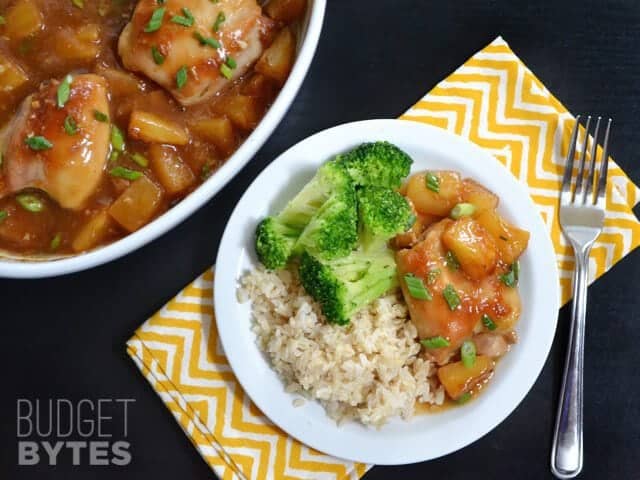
x=64, y=337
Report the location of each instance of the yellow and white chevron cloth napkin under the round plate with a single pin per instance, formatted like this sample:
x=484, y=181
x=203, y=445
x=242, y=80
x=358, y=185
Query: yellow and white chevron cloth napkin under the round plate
x=495, y=101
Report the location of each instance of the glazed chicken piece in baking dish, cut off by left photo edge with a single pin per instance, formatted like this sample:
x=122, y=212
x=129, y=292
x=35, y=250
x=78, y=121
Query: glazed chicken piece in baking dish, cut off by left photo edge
x=42, y=149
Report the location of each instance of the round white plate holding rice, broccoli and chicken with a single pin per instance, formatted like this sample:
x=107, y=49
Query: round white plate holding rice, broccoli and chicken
x=424, y=437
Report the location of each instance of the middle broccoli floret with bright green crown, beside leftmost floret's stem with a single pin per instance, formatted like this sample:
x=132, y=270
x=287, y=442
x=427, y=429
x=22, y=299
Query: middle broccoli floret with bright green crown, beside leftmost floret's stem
x=333, y=231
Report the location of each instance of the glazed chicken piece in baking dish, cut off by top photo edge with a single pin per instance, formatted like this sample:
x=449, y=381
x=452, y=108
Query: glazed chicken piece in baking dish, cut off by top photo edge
x=187, y=49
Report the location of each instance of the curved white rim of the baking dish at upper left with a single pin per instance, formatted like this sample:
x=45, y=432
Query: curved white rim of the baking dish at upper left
x=177, y=214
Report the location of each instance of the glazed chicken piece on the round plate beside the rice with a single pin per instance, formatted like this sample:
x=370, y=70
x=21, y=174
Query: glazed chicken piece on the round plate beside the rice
x=427, y=260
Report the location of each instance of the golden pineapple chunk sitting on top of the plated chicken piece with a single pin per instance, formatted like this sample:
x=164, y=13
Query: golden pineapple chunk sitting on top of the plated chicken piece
x=473, y=247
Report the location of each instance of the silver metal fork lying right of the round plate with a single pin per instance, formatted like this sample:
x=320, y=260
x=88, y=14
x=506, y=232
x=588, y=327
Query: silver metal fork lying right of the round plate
x=581, y=218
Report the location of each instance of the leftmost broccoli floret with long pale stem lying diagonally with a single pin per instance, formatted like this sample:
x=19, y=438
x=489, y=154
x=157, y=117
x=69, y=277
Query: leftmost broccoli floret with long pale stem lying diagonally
x=276, y=236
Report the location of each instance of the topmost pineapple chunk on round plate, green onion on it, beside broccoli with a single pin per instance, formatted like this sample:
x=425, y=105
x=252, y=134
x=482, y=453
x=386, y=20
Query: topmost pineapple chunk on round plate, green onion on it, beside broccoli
x=430, y=202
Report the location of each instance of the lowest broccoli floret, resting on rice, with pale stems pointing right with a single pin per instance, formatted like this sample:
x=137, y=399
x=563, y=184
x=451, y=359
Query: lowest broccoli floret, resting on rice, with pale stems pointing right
x=344, y=285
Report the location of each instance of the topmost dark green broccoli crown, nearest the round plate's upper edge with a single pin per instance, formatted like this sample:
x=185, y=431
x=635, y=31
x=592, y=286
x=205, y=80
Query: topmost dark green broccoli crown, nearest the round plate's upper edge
x=380, y=163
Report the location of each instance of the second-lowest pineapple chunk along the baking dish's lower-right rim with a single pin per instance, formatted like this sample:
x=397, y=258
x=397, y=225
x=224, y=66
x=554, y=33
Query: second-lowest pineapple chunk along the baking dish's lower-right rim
x=137, y=204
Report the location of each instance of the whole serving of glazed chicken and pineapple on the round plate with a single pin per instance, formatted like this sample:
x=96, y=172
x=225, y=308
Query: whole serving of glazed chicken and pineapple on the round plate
x=459, y=276
